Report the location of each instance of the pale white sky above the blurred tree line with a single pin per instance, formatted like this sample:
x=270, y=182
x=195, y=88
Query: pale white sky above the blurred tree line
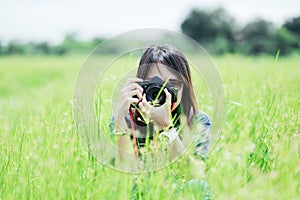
x=42, y=20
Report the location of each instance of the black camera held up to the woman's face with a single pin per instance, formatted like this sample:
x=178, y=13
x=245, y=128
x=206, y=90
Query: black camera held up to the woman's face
x=153, y=88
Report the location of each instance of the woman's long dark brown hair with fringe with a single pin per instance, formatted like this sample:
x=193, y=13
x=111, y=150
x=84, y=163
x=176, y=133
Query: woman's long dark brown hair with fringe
x=173, y=58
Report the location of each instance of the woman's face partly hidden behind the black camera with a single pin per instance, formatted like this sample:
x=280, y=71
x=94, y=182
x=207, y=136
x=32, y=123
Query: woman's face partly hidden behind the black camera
x=164, y=72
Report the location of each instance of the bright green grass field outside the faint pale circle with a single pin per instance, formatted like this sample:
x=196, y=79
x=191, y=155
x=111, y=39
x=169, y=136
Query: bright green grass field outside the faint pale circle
x=42, y=157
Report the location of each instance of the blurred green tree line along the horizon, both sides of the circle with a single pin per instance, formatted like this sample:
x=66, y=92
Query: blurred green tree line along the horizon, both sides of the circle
x=216, y=30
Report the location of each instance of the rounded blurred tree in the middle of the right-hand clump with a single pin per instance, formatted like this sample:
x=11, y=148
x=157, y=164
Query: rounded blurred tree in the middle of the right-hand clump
x=258, y=36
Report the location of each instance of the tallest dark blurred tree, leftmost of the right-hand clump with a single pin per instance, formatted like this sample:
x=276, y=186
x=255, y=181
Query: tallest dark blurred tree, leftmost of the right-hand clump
x=215, y=29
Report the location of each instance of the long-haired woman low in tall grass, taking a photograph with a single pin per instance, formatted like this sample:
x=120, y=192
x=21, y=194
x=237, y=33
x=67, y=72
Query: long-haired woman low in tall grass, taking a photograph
x=135, y=116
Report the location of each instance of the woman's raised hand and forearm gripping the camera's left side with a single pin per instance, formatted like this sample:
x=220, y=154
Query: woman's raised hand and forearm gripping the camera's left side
x=131, y=89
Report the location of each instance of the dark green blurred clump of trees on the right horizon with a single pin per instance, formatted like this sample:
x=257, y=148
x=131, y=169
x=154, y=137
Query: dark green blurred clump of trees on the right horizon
x=219, y=32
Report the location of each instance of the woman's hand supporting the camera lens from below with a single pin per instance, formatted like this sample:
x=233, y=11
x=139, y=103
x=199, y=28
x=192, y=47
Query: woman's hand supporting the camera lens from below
x=161, y=115
